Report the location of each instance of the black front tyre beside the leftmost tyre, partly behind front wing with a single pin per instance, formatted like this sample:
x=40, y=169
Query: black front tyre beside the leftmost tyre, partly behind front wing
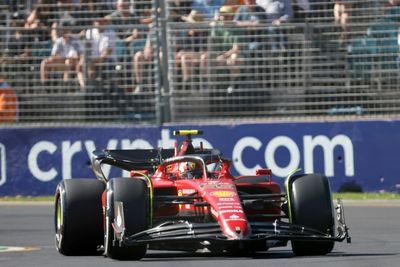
x=133, y=193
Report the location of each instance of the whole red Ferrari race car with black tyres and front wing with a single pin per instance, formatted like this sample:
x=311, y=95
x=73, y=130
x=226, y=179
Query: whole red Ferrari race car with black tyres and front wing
x=186, y=199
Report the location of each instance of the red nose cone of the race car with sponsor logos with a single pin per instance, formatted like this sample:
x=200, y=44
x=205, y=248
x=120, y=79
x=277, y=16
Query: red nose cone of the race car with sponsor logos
x=228, y=211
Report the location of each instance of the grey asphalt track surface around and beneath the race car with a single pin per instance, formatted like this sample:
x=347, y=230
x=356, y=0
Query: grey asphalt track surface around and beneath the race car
x=374, y=227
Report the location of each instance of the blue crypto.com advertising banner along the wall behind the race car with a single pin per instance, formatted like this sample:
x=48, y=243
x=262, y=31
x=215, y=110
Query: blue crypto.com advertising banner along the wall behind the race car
x=34, y=160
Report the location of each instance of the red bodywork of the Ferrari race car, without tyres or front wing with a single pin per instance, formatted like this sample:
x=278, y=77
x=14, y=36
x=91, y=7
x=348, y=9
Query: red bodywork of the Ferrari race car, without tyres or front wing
x=217, y=188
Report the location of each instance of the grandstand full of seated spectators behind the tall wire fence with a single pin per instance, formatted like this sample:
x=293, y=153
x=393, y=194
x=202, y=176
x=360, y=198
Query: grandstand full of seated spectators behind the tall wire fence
x=163, y=62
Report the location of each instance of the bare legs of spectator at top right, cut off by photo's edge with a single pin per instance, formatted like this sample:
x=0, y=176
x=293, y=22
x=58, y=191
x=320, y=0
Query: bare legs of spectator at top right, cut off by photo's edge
x=342, y=14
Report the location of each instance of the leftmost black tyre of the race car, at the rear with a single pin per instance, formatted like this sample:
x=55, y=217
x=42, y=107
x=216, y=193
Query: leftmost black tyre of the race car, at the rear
x=78, y=216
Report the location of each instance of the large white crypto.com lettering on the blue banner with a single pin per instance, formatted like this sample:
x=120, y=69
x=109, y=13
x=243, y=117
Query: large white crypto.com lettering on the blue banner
x=66, y=150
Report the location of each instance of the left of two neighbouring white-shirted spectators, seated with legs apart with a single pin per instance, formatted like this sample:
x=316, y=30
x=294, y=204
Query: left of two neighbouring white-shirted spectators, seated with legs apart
x=66, y=56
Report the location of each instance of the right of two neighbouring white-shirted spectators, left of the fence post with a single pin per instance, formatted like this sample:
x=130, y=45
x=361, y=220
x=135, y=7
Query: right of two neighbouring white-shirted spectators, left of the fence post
x=103, y=54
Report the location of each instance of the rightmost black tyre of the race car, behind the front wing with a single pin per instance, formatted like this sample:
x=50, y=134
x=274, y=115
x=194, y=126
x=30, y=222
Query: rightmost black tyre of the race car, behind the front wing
x=311, y=206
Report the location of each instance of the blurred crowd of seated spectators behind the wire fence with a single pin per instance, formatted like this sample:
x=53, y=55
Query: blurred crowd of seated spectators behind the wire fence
x=91, y=42
